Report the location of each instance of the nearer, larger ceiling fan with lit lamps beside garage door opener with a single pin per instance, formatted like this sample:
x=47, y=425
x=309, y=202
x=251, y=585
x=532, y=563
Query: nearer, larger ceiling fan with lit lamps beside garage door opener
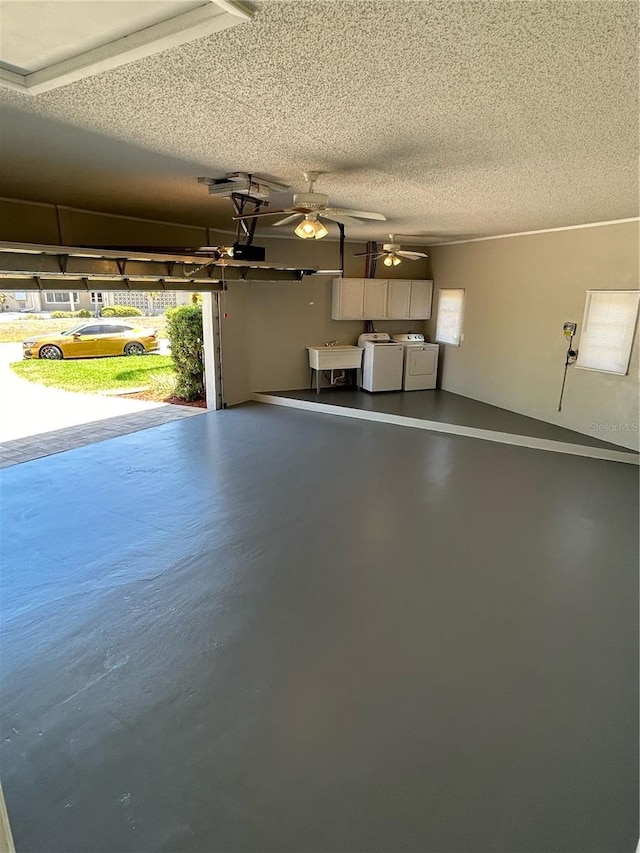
x=312, y=207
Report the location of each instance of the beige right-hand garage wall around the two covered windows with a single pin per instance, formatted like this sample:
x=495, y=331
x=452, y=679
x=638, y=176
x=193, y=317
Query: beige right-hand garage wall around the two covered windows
x=519, y=292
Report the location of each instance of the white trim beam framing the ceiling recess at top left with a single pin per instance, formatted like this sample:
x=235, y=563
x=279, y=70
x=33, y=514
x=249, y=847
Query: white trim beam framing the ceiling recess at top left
x=212, y=17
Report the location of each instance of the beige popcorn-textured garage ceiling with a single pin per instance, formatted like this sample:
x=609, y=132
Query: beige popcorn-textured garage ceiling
x=454, y=119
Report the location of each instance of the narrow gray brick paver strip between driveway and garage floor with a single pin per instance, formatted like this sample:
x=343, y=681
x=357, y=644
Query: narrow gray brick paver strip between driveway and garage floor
x=44, y=444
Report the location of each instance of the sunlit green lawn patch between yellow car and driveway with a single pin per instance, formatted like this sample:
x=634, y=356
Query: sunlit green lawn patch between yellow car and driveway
x=92, y=375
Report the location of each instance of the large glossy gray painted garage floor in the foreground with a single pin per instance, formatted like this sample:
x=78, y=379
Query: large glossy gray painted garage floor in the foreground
x=269, y=630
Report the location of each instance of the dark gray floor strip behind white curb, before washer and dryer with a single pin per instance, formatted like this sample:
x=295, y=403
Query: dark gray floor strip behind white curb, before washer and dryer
x=445, y=407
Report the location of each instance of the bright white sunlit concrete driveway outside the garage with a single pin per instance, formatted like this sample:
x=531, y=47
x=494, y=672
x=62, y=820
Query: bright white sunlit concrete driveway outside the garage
x=29, y=409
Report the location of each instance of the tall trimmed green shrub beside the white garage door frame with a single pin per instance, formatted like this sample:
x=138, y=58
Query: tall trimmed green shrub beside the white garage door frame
x=184, y=325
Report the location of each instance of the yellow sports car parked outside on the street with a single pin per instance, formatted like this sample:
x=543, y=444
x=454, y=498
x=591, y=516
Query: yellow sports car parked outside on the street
x=90, y=340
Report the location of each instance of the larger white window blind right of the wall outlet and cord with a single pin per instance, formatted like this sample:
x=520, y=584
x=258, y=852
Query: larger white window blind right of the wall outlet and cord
x=607, y=330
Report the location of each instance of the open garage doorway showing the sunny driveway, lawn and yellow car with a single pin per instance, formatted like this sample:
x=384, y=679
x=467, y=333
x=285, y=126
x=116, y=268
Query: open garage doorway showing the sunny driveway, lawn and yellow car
x=81, y=366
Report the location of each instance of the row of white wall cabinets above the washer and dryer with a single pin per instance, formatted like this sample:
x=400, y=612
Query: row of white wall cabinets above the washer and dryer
x=381, y=299
